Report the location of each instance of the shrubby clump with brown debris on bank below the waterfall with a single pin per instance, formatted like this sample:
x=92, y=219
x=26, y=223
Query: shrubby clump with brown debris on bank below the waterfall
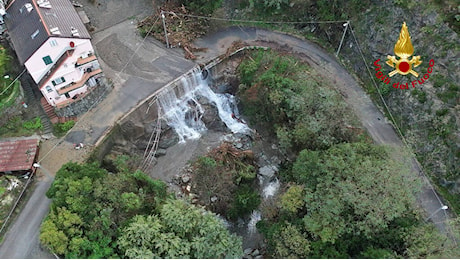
x=229, y=176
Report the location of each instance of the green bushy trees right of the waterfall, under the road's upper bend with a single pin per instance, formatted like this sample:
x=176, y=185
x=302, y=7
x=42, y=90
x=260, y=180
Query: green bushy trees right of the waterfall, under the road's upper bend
x=293, y=102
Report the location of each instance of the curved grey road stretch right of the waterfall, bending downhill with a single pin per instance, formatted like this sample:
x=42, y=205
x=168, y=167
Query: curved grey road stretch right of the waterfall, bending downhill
x=379, y=128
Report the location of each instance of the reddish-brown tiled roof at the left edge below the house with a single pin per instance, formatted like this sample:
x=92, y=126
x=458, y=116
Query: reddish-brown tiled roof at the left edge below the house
x=17, y=155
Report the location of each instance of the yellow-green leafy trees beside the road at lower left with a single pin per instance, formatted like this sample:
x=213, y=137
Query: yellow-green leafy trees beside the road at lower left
x=89, y=206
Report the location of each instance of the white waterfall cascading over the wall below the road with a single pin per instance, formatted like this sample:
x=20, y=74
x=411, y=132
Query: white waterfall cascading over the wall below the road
x=184, y=113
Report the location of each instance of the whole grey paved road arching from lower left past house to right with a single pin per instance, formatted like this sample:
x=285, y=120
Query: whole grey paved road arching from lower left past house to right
x=153, y=67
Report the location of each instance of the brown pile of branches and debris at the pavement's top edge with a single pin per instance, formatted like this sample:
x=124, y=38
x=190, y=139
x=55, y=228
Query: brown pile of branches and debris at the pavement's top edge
x=181, y=28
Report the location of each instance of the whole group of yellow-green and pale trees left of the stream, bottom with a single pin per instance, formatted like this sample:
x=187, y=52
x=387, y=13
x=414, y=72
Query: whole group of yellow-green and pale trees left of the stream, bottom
x=99, y=215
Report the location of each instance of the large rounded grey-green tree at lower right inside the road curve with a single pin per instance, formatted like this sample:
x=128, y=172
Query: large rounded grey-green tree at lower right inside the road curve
x=353, y=188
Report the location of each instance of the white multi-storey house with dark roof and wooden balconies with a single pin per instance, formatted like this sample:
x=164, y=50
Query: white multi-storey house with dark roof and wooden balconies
x=52, y=42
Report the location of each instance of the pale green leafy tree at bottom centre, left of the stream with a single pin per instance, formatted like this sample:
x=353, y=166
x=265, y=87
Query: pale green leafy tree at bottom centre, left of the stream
x=180, y=231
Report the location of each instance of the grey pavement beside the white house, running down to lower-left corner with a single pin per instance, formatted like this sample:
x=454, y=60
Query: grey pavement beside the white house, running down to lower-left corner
x=150, y=67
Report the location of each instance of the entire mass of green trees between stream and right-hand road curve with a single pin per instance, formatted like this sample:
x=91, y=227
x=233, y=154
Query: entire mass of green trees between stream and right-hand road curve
x=344, y=197
